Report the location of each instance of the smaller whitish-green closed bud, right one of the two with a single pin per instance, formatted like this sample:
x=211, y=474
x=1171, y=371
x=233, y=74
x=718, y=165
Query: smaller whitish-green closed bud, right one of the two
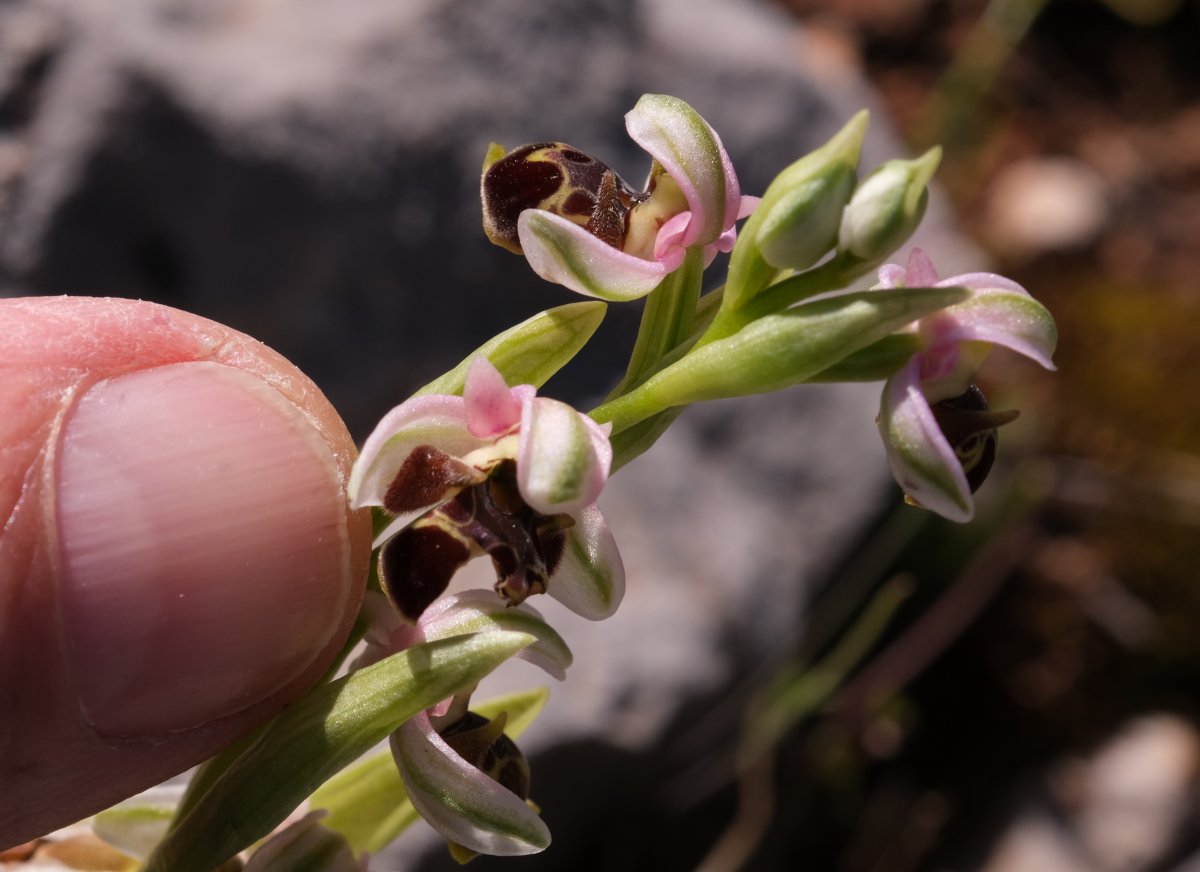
x=887, y=208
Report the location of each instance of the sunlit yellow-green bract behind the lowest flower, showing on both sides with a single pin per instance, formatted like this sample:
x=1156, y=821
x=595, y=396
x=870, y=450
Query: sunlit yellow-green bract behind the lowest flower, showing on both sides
x=368, y=803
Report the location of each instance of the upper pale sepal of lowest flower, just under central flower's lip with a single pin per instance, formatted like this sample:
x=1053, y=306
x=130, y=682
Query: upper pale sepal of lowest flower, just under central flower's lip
x=479, y=611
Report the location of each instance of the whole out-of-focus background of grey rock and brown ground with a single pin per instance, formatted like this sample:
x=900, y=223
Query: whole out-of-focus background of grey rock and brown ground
x=806, y=673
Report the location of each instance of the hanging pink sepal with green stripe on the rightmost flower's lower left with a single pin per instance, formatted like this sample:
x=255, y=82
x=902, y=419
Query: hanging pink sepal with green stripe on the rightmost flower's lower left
x=922, y=460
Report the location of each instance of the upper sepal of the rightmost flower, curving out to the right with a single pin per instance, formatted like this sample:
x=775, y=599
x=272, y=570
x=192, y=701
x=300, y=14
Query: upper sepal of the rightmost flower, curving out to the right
x=1007, y=318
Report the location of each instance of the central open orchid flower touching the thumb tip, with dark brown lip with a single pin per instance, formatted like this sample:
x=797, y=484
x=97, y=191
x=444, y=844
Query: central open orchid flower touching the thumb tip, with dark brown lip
x=501, y=472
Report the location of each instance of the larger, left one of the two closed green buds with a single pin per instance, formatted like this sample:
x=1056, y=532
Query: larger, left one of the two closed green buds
x=797, y=221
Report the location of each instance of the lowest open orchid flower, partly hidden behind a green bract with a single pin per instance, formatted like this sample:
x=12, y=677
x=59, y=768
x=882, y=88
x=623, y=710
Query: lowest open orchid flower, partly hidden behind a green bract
x=466, y=778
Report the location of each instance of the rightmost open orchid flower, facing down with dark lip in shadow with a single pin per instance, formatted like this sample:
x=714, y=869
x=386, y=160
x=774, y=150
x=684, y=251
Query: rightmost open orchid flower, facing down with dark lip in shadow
x=937, y=428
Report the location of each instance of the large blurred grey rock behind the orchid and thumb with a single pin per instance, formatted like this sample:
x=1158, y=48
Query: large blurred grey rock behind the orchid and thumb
x=308, y=173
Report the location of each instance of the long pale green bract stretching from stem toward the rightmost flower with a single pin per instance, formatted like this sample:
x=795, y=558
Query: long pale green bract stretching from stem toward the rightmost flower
x=778, y=351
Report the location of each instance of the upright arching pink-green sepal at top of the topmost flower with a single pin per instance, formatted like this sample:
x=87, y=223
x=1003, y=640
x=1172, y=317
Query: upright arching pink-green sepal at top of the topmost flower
x=679, y=139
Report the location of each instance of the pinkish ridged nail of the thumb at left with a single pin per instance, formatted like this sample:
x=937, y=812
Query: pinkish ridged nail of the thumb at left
x=203, y=546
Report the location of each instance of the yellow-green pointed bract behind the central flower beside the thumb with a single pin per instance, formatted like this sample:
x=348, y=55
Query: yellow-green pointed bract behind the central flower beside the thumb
x=533, y=351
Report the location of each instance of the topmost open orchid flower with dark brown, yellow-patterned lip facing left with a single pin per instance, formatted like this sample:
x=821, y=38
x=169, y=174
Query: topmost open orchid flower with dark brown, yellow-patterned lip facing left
x=581, y=226
